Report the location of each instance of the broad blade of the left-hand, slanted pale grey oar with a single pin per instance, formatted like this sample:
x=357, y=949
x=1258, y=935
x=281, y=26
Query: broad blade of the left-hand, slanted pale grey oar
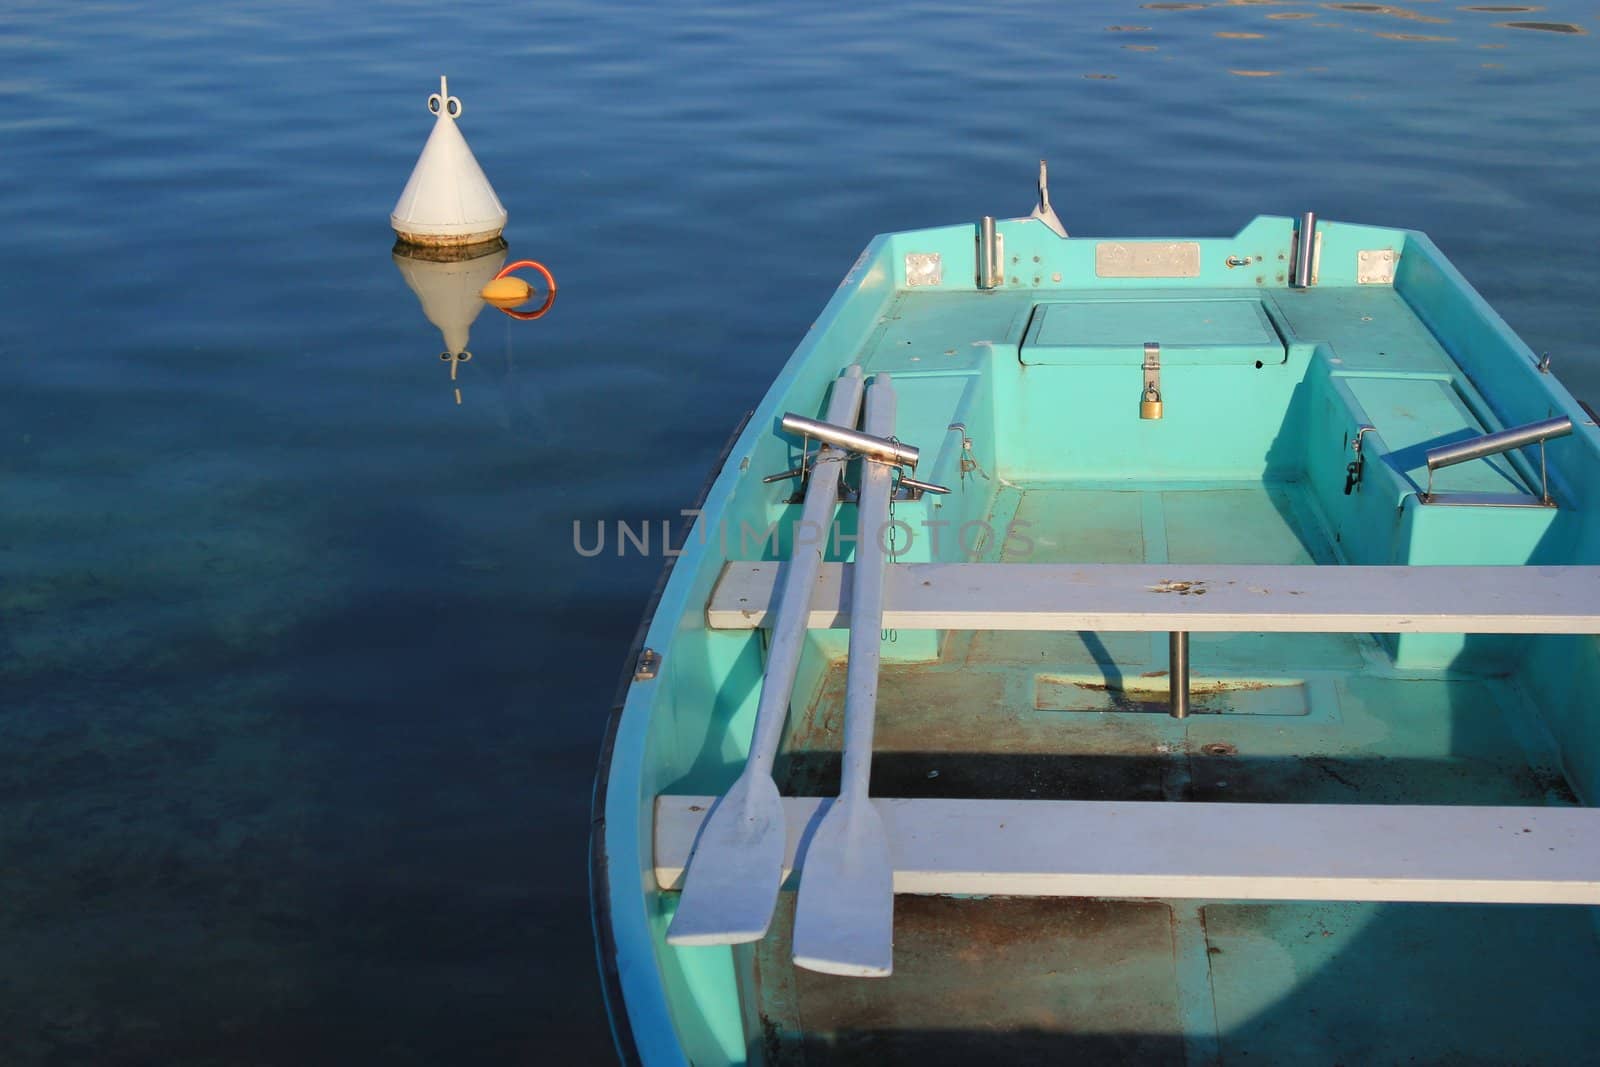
x=730, y=887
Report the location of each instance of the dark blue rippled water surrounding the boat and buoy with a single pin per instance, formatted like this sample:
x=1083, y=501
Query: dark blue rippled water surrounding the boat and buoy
x=302, y=681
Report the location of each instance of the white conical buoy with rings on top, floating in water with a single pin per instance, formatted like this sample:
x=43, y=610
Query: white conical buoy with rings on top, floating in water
x=449, y=201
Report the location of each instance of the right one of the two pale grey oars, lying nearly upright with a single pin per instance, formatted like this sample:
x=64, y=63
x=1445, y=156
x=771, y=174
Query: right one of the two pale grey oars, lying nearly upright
x=846, y=914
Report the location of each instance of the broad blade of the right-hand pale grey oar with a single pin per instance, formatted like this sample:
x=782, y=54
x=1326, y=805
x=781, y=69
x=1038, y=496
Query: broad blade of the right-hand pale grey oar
x=846, y=909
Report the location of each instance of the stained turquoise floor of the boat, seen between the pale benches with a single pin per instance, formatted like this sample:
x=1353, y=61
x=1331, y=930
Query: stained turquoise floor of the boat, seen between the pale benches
x=1284, y=719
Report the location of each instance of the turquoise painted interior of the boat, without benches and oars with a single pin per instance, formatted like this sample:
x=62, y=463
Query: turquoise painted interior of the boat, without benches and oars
x=1292, y=428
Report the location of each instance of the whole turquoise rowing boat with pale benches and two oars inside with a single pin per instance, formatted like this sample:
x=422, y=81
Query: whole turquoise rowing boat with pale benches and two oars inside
x=1124, y=650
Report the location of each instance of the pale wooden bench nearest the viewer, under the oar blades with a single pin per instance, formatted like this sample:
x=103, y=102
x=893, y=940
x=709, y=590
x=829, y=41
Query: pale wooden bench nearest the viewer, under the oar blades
x=1207, y=850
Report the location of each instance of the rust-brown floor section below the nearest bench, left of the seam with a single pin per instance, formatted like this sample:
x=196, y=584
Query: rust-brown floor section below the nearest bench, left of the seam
x=1062, y=981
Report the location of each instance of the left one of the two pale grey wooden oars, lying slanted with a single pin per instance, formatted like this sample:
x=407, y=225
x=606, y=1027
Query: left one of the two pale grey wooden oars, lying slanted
x=732, y=882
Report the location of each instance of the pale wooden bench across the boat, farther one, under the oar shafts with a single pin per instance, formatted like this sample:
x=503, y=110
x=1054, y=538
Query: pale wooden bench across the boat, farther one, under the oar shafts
x=1156, y=597
